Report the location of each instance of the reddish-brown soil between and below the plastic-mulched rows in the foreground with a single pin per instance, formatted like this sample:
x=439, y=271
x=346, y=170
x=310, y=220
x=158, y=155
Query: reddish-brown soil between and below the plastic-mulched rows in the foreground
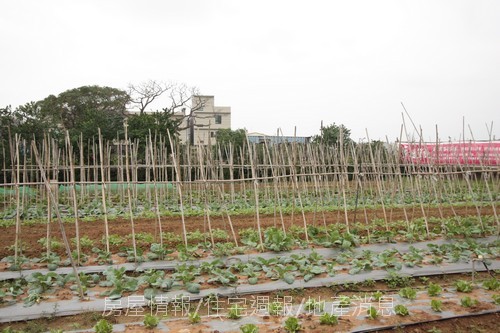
x=311, y=324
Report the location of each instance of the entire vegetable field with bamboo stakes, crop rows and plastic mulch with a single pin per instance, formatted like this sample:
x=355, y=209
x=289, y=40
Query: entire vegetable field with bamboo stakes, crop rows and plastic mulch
x=294, y=238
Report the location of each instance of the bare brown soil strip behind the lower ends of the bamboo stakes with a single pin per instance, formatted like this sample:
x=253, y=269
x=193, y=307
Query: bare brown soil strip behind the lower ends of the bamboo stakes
x=95, y=229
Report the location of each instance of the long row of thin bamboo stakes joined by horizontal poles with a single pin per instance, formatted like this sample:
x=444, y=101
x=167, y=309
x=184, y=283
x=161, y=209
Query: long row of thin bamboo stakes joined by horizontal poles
x=225, y=174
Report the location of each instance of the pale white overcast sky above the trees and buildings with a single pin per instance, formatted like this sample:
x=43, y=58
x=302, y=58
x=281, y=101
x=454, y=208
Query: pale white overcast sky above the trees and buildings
x=278, y=64
